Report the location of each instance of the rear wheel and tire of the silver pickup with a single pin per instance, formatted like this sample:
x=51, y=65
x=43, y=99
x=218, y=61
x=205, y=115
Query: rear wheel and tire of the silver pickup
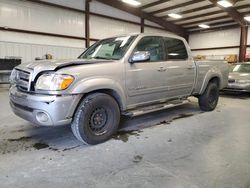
x=209, y=99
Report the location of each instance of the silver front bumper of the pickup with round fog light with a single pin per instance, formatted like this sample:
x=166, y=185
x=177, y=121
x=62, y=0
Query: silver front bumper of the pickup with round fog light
x=44, y=110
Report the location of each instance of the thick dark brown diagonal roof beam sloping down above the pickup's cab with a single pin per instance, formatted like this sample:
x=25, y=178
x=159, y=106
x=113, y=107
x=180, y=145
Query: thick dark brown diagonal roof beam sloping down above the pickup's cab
x=137, y=12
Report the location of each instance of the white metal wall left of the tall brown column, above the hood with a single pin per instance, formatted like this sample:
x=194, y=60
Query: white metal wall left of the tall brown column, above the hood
x=34, y=17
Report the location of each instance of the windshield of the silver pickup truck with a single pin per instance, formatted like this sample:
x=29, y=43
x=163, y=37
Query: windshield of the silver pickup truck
x=111, y=49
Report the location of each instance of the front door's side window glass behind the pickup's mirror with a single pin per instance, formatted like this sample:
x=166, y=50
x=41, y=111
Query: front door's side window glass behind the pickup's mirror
x=153, y=45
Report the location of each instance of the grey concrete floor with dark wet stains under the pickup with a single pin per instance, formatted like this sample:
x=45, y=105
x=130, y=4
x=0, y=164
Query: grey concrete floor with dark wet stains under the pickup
x=176, y=148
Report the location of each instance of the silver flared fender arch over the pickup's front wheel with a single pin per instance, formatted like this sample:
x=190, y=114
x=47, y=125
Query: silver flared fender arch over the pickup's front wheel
x=94, y=84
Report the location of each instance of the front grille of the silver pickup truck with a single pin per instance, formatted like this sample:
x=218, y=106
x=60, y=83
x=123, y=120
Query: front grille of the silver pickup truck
x=23, y=80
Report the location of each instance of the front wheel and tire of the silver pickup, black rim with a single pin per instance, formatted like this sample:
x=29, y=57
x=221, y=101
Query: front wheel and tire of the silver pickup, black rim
x=96, y=119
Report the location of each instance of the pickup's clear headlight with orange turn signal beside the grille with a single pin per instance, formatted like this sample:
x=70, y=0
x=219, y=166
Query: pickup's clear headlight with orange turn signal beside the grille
x=54, y=82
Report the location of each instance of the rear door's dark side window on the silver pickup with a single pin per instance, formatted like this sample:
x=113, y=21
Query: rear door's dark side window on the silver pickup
x=175, y=49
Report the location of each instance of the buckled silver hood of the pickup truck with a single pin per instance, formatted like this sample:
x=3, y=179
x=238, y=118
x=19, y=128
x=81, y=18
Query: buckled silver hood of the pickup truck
x=50, y=65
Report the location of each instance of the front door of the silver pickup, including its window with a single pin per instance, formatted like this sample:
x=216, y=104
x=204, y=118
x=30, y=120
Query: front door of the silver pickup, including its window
x=145, y=80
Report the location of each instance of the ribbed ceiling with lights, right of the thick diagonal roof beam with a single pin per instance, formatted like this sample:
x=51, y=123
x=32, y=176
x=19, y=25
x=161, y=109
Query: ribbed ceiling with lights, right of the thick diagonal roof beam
x=195, y=12
